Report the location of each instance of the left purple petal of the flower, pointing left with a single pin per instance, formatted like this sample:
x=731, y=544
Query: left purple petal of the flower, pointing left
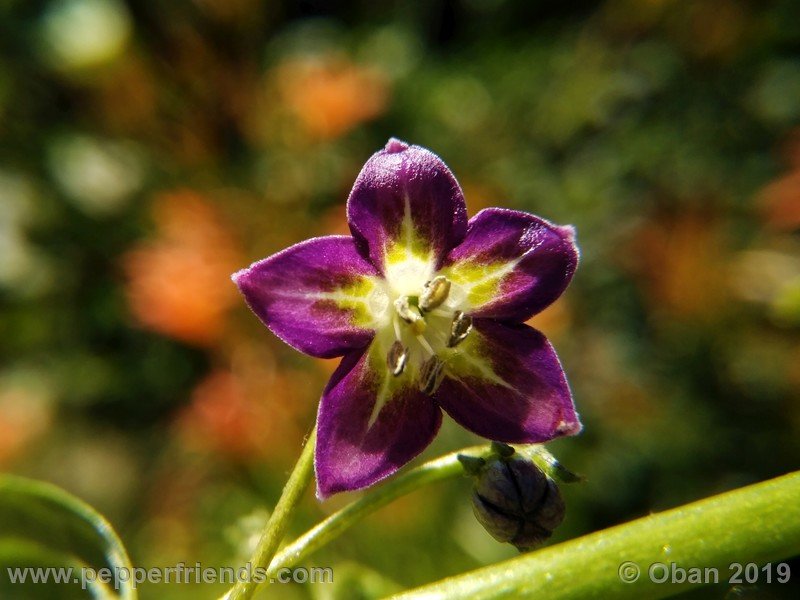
x=317, y=296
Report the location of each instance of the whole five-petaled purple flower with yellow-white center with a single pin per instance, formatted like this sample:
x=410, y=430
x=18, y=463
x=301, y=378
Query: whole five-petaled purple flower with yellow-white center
x=427, y=310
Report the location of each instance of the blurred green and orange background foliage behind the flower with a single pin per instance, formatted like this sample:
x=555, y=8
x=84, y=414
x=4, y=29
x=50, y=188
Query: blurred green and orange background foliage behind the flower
x=149, y=149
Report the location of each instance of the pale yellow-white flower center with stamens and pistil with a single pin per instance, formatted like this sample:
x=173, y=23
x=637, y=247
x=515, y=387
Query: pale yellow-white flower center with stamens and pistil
x=423, y=326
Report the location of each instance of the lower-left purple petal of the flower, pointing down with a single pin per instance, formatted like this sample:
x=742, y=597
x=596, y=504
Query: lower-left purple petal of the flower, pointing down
x=370, y=424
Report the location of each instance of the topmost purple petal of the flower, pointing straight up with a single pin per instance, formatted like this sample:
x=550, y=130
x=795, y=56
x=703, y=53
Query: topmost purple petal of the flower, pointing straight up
x=406, y=201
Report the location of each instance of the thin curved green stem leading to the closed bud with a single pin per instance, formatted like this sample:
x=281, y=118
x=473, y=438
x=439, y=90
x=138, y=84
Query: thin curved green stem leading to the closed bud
x=445, y=467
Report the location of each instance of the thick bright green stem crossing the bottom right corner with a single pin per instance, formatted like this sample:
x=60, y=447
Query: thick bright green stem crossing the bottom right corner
x=759, y=523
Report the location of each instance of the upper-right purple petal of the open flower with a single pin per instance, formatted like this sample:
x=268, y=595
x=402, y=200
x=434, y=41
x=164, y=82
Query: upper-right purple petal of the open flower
x=511, y=264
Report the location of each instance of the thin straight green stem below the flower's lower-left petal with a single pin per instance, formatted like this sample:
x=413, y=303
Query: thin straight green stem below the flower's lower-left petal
x=280, y=518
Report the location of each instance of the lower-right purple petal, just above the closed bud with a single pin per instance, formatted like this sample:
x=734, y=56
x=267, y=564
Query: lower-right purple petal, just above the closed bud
x=504, y=382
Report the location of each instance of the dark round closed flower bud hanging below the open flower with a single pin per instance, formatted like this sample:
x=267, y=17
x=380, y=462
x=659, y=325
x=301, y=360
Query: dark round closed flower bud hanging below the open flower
x=516, y=502
